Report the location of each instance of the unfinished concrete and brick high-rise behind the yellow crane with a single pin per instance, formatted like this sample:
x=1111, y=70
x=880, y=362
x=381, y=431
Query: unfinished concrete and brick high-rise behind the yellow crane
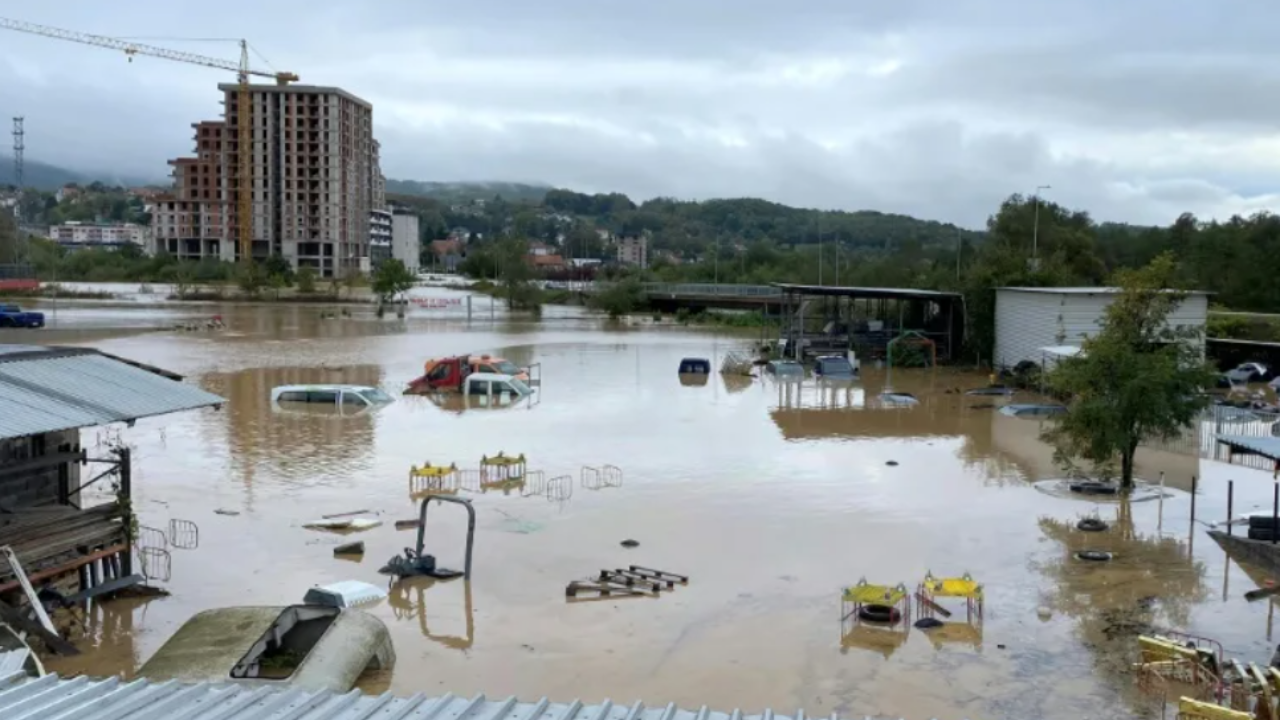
x=316, y=181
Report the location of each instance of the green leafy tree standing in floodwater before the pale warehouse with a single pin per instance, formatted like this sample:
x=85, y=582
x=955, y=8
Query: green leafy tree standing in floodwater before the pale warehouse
x=1137, y=380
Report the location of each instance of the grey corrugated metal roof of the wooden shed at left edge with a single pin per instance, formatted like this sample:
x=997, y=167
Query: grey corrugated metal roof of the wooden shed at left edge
x=44, y=390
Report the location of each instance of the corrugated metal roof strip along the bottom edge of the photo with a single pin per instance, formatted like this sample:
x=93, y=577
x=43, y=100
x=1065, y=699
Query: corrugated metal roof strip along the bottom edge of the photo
x=112, y=699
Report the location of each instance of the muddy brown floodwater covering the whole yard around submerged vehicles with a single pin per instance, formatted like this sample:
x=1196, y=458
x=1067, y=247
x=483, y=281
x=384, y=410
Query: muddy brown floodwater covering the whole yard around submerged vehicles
x=770, y=496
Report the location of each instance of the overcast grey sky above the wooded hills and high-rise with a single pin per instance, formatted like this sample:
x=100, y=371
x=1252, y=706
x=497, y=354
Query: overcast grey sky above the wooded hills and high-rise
x=1135, y=111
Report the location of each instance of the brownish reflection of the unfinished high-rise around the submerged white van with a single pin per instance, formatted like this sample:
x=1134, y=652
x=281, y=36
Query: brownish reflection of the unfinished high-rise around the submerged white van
x=294, y=445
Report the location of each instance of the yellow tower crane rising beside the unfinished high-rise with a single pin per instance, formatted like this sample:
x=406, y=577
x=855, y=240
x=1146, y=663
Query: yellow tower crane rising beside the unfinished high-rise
x=245, y=139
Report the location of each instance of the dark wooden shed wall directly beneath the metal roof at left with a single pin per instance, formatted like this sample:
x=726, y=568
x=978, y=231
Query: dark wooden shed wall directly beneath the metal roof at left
x=38, y=486
